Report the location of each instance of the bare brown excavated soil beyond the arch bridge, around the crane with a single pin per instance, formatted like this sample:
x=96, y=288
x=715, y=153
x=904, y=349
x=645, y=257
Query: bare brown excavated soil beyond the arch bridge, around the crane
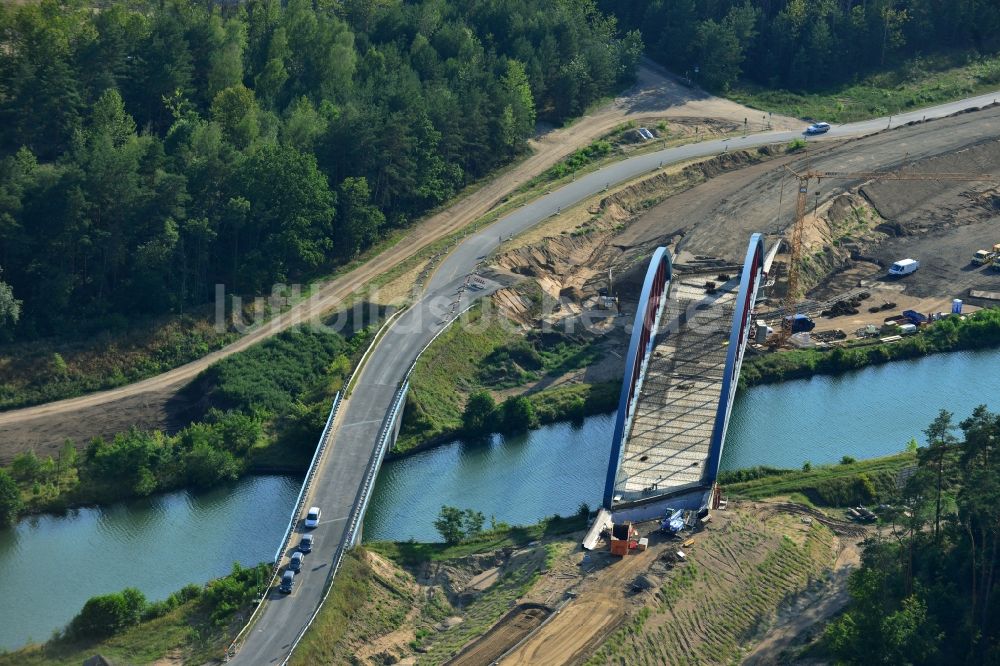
x=939, y=223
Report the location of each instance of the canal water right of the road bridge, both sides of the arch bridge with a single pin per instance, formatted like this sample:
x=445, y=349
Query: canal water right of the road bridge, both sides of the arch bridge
x=864, y=414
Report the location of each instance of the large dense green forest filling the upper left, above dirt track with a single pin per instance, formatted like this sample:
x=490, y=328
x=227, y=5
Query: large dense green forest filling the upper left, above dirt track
x=149, y=150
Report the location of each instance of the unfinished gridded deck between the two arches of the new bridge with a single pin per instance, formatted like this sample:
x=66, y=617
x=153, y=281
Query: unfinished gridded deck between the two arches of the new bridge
x=671, y=430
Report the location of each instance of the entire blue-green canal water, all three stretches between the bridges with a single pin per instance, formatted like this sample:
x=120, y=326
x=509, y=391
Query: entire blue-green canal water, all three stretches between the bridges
x=50, y=565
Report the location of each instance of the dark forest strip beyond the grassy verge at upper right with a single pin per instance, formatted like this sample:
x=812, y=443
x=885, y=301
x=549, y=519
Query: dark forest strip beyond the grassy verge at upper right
x=800, y=44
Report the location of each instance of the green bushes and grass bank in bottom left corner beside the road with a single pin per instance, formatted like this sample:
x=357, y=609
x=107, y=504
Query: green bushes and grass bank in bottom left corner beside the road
x=193, y=625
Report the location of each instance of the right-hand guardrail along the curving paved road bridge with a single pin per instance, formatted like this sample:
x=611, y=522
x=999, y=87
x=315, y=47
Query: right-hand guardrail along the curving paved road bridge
x=361, y=503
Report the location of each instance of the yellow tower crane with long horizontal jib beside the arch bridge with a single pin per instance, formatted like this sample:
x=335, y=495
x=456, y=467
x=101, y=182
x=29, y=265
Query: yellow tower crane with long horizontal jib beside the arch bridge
x=798, y=226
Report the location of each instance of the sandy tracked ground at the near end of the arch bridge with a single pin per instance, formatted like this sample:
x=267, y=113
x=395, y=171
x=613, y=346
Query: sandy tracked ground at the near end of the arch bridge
x=727, y=556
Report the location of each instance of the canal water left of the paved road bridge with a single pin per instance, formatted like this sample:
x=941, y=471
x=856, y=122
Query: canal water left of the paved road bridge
x=51, y=565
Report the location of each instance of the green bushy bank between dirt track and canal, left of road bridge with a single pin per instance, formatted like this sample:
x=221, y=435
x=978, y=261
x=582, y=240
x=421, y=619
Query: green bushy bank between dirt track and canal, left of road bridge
x=260, y=410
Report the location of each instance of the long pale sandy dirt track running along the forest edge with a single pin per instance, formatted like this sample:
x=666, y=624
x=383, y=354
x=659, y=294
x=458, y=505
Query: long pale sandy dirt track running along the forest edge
x=150, y=403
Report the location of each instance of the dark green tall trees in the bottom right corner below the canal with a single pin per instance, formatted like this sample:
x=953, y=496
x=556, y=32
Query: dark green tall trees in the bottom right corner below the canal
x=927, y=589
